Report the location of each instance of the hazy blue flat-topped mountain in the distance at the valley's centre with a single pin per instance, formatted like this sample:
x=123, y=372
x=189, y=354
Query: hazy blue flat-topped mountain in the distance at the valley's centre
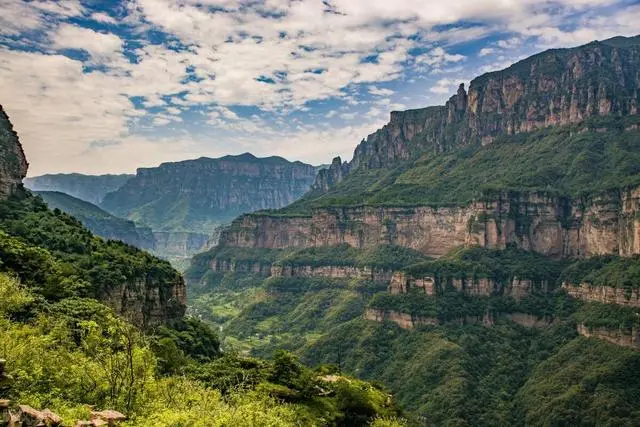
x=199, y=195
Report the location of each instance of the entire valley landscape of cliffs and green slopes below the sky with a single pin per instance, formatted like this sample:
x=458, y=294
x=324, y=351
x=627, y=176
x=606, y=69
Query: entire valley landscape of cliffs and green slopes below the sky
x=475, y=263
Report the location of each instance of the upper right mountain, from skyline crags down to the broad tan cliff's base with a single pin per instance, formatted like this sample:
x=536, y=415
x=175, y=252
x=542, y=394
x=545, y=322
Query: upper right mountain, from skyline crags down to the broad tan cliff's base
x=542, y=155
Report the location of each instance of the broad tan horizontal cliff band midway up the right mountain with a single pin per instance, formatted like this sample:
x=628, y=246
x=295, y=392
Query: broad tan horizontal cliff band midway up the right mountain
x=557, y=227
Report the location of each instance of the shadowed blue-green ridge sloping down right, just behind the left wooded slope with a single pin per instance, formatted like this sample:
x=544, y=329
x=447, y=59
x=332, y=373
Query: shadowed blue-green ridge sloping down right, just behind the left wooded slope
x=99, y=221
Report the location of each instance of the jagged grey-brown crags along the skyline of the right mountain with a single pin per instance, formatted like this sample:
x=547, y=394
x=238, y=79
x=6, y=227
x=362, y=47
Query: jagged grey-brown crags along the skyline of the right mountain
x=556, y=87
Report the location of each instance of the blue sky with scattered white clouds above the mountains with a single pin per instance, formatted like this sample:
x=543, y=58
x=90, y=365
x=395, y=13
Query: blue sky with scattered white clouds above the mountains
x=101, y=86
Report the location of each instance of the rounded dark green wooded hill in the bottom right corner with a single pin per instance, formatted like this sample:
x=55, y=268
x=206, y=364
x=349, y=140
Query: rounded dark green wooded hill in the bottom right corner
x=587, y=382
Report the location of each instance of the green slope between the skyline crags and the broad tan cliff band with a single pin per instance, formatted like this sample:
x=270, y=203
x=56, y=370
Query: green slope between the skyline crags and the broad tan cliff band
x=594, y=156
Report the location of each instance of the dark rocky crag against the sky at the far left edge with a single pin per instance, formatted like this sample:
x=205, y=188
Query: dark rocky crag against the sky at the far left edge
x=13, y=163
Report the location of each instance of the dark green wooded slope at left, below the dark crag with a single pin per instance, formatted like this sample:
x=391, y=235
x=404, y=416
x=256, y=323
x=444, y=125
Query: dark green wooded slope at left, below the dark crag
x=53, y=252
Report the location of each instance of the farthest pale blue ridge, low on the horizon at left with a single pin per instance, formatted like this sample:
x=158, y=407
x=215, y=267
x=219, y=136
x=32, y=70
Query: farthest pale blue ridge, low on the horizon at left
x=90, y=188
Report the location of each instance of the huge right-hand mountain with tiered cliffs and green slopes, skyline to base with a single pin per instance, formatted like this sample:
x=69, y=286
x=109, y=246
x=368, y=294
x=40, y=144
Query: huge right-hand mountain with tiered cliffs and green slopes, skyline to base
x=479, y=258
